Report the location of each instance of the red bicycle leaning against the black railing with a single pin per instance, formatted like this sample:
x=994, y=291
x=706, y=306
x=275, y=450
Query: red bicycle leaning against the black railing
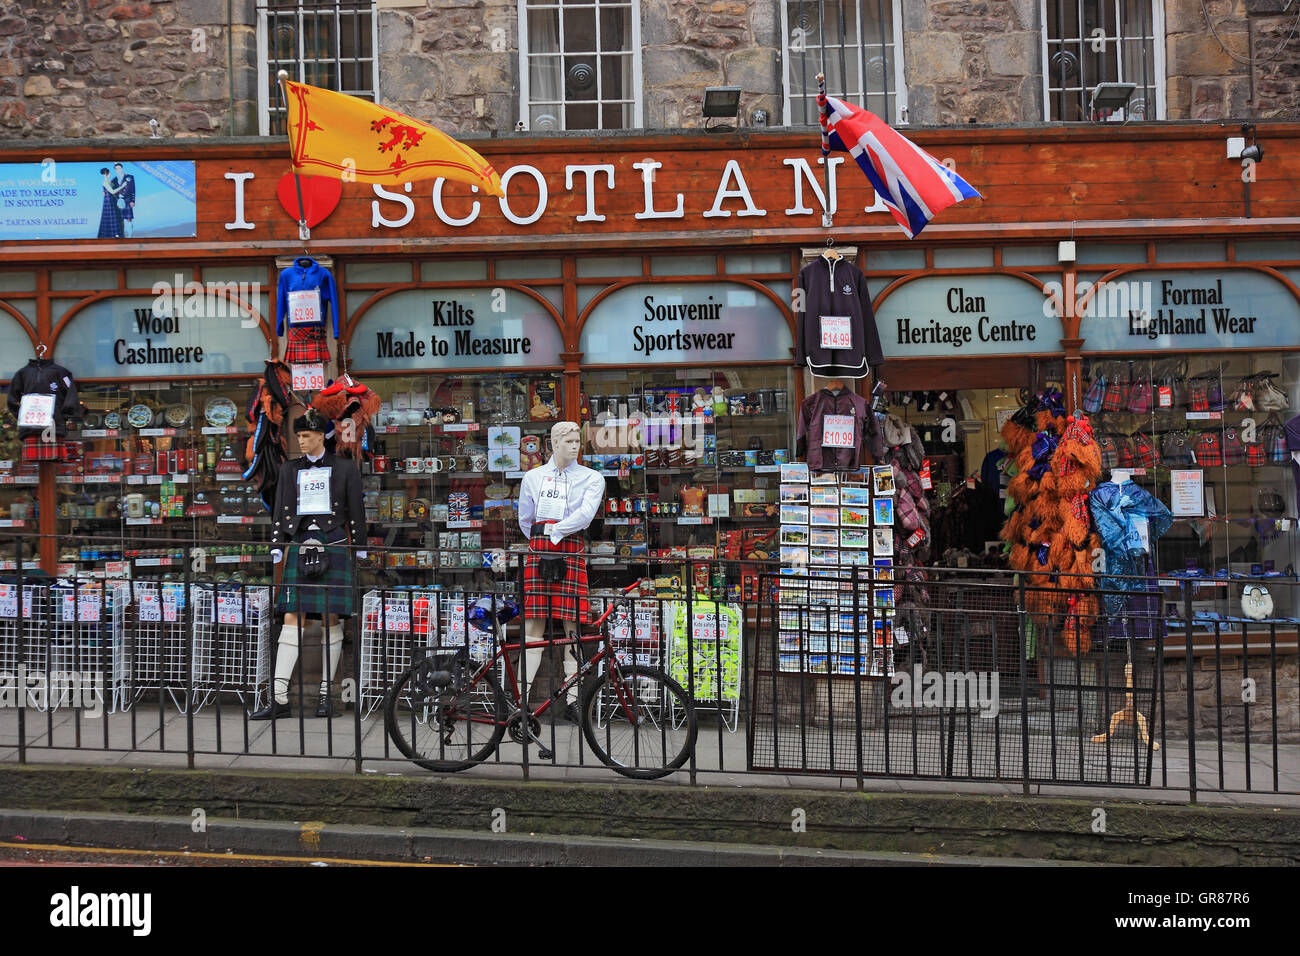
x=448, y=711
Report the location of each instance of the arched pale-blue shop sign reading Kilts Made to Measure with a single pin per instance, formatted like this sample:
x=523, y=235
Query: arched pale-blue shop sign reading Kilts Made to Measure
x=456, y=328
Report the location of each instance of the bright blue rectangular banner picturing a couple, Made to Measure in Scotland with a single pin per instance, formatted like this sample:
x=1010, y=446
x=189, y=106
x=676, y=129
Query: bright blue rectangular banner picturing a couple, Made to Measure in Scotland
x=106, y=200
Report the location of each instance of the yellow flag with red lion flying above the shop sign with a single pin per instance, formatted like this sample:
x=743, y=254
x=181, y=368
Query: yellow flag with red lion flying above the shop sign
x=331, y=133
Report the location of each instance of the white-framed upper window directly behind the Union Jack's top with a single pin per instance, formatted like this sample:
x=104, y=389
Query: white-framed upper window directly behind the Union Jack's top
x=857, y=45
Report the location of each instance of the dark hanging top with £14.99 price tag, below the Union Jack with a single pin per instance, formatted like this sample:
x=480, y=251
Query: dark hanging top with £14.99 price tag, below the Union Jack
x=837, y=335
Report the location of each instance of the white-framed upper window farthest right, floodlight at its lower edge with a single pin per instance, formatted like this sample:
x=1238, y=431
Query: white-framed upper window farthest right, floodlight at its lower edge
x=1090, y=42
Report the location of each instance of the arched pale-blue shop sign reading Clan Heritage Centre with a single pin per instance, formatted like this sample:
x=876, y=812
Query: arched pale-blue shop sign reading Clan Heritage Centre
x=967, y=315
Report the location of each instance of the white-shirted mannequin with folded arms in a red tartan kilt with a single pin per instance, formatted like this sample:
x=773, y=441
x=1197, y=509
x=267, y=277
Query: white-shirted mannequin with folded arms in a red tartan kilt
x=557, y=503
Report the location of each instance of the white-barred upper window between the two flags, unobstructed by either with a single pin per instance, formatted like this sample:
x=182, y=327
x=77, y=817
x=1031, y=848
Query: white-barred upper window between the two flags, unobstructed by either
x=580, y=64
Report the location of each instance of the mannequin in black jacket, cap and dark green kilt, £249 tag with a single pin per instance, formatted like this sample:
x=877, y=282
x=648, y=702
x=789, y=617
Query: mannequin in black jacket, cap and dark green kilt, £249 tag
x=318, y=500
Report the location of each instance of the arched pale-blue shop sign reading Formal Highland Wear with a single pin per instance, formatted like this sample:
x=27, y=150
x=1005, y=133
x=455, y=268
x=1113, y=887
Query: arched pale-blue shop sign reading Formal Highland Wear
x=1191, y=310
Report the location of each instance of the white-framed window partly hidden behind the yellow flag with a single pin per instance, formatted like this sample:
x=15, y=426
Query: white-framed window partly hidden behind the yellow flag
x=326, y=44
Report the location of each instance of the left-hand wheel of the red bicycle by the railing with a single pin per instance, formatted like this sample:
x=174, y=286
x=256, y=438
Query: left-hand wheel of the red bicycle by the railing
x=448, y=732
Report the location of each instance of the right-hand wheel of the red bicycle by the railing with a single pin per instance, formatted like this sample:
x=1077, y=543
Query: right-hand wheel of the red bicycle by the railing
x=629, y=723
